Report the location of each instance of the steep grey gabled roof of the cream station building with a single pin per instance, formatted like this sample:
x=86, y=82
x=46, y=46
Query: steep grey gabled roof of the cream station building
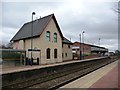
x=39, y=26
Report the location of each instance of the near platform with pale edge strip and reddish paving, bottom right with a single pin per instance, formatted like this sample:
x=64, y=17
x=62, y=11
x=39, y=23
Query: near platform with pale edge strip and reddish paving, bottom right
x=105, y=77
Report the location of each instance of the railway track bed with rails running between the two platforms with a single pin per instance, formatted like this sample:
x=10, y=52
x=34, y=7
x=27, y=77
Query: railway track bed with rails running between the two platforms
x=59, y=78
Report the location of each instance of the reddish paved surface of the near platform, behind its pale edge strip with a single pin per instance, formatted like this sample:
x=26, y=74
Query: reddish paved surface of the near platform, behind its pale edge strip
x=110, y=80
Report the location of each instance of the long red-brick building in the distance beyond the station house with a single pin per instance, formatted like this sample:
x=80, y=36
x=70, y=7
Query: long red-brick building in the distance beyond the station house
x=87, y=49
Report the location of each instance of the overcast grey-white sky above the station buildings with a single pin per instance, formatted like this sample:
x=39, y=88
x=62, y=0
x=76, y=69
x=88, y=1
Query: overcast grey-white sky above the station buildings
x=96, y=17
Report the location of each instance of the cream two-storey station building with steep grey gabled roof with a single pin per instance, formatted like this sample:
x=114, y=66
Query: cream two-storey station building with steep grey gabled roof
x=48, y=43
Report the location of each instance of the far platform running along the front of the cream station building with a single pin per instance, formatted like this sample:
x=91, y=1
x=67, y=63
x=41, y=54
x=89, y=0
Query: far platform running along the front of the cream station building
x=28, y=67
